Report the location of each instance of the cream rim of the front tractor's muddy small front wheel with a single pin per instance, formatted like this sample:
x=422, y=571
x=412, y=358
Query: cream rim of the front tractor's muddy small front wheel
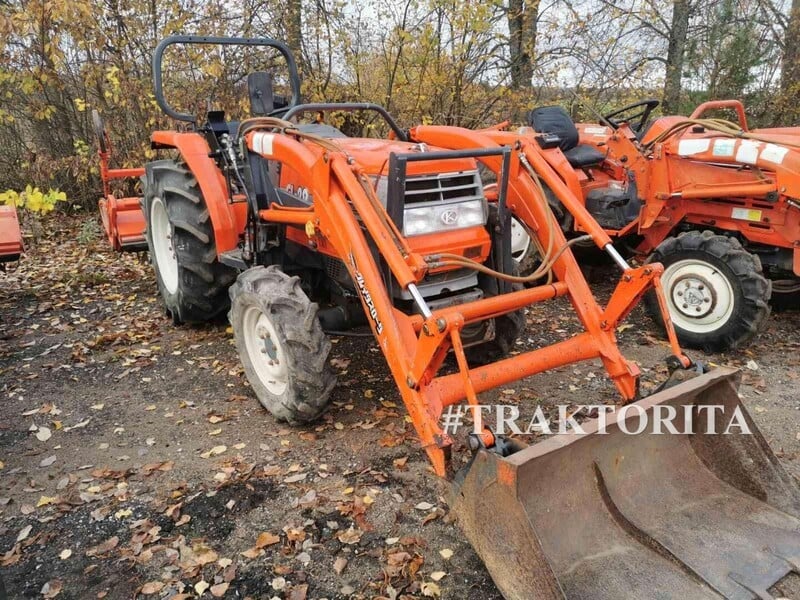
x=265, y=351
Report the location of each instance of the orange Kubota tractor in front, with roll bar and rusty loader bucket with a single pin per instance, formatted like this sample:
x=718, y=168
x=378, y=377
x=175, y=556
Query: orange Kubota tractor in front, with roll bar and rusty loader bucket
x=295, y=228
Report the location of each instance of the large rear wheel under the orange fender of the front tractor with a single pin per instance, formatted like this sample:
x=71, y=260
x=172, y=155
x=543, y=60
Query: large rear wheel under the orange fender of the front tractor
x=180, y=238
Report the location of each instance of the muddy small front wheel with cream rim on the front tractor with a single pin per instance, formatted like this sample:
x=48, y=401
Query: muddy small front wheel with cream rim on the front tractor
x=281, y=344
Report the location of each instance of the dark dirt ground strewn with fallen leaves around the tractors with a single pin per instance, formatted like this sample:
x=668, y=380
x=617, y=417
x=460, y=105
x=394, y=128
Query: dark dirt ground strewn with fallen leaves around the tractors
x=136, y=462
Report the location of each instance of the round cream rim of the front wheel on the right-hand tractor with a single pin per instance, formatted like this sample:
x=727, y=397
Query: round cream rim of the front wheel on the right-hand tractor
x=700, y=296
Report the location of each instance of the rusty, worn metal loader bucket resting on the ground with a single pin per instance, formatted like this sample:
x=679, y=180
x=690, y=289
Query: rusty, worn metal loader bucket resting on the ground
x=593, y=515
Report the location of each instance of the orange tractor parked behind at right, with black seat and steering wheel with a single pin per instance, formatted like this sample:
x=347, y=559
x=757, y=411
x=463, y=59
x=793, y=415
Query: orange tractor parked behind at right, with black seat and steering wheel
x=716, y=203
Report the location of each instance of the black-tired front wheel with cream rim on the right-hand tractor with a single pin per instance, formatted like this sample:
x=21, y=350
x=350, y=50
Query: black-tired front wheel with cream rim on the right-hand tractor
x=718, y=297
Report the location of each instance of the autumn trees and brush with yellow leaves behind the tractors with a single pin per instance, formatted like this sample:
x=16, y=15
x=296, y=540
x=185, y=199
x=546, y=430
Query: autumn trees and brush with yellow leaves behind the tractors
x=462, y=62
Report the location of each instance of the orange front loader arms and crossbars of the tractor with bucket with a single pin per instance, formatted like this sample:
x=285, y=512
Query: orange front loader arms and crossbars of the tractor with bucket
x=415, y=345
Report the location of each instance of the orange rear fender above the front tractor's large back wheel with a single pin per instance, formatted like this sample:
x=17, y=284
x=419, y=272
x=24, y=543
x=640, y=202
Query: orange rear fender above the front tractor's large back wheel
x=228, y=224
